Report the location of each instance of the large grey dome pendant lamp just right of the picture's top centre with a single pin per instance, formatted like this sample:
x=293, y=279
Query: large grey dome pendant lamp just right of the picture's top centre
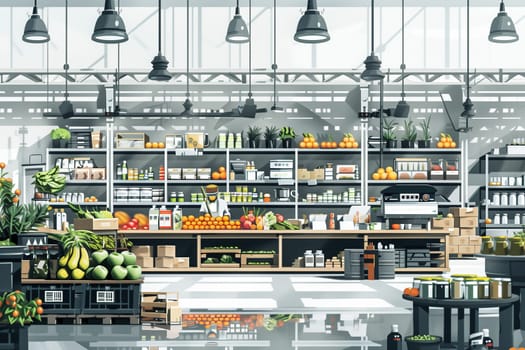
x=311, y=28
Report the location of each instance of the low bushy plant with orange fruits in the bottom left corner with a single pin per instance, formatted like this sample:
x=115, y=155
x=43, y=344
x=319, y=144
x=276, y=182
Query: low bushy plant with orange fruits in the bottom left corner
x=15, y=308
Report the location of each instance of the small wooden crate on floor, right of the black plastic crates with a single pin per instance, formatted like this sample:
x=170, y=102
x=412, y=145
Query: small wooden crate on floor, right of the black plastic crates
x=161, y=307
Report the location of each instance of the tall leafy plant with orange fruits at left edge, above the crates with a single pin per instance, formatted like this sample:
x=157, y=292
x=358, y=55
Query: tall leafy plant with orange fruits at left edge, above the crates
x=16, y=218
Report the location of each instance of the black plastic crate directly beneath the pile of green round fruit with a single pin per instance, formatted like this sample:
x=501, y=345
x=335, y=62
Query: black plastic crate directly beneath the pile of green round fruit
x=115, y=299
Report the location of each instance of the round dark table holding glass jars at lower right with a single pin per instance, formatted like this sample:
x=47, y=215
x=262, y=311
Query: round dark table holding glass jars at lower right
x=420, y=317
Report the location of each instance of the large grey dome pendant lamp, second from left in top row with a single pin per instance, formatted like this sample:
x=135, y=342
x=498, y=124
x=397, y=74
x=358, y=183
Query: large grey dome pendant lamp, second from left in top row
x=110, y=28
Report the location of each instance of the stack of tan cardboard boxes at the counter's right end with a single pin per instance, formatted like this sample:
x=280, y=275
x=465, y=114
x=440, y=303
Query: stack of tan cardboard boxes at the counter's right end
x=465, y=224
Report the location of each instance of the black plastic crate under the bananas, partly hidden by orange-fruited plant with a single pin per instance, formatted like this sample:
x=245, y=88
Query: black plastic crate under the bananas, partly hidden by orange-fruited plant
x=57, y=298
